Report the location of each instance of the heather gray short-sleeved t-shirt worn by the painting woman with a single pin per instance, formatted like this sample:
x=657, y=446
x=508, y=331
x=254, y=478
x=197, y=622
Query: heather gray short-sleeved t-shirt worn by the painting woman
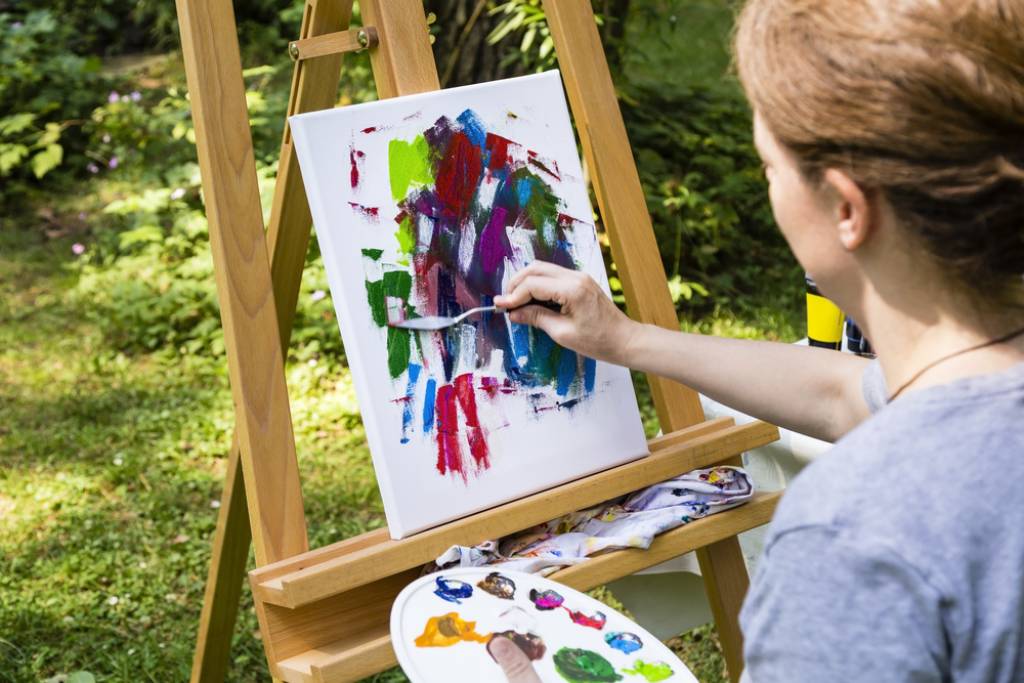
x=900, y=557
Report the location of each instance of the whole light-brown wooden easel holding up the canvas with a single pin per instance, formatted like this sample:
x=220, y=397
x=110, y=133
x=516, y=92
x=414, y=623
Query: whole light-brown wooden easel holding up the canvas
x=324, y=614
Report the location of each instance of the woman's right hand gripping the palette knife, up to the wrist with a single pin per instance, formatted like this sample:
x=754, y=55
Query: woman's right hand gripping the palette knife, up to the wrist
x=589, y=322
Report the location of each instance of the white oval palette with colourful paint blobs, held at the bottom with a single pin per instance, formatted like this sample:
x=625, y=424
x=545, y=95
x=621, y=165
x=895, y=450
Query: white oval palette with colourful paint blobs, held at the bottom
x=437, y=642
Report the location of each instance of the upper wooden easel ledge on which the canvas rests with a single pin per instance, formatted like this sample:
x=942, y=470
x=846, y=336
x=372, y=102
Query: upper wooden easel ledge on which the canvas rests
x=333, y=570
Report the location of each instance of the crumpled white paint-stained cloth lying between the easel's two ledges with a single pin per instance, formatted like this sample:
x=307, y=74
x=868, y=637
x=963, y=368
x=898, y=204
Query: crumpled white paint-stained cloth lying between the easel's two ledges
x=632, y=522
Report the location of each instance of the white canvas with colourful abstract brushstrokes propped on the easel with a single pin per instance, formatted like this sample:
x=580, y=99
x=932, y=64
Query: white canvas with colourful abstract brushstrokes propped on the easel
x=429, y=205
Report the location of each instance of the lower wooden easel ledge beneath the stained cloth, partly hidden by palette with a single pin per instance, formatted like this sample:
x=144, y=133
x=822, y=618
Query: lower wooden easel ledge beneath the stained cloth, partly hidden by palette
x=370, y=650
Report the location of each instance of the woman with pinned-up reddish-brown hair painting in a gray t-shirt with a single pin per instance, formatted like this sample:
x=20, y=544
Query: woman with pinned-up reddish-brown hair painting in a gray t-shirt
x=892, y=135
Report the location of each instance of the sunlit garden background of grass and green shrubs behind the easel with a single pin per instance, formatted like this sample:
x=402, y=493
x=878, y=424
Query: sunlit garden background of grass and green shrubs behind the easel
x=115, y=415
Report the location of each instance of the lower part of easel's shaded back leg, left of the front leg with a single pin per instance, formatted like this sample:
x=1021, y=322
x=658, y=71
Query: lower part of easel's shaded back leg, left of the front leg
x=224, y=585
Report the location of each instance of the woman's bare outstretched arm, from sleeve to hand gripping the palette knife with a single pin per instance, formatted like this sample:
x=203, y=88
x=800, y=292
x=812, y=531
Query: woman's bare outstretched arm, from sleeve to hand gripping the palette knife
x=810, y=391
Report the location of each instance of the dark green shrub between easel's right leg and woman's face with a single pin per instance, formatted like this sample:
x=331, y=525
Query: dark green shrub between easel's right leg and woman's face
x=707, y=195
